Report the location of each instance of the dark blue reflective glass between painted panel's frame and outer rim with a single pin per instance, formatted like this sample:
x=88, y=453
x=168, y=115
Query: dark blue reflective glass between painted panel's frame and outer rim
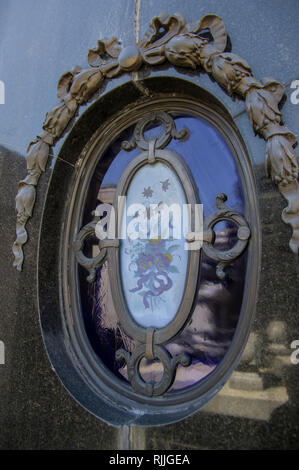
x=211, y=327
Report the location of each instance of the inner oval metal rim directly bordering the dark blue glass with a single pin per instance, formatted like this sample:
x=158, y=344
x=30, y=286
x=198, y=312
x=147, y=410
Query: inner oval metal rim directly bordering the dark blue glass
x=99, y=375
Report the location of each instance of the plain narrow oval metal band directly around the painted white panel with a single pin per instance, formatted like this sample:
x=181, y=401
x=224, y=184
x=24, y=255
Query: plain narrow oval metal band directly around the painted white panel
x=175, y=162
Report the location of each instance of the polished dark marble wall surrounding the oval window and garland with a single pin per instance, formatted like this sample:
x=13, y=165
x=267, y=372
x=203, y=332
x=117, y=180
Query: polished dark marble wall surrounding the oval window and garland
x=41, y=40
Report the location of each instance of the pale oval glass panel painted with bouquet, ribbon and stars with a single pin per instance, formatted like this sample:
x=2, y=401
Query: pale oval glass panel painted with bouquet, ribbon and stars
x=153, y=270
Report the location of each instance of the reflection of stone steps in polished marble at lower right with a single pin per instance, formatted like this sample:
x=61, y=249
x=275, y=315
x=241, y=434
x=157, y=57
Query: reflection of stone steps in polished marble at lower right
x=256, y=390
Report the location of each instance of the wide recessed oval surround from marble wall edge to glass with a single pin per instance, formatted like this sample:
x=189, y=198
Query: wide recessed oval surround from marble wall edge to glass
x=77, y=365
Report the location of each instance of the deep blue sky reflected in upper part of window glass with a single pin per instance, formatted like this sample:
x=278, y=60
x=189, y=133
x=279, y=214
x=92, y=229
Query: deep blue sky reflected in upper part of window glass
x=208, y=157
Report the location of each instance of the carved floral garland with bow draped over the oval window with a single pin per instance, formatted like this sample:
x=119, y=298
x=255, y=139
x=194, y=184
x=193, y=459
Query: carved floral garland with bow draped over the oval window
x=181, y=45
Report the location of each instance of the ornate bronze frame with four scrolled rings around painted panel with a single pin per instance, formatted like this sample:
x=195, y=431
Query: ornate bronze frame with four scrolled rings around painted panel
x=151, y=339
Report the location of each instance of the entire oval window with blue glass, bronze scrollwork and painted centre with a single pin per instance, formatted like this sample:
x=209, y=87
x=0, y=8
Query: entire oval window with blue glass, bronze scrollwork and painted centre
x=152, y=303
